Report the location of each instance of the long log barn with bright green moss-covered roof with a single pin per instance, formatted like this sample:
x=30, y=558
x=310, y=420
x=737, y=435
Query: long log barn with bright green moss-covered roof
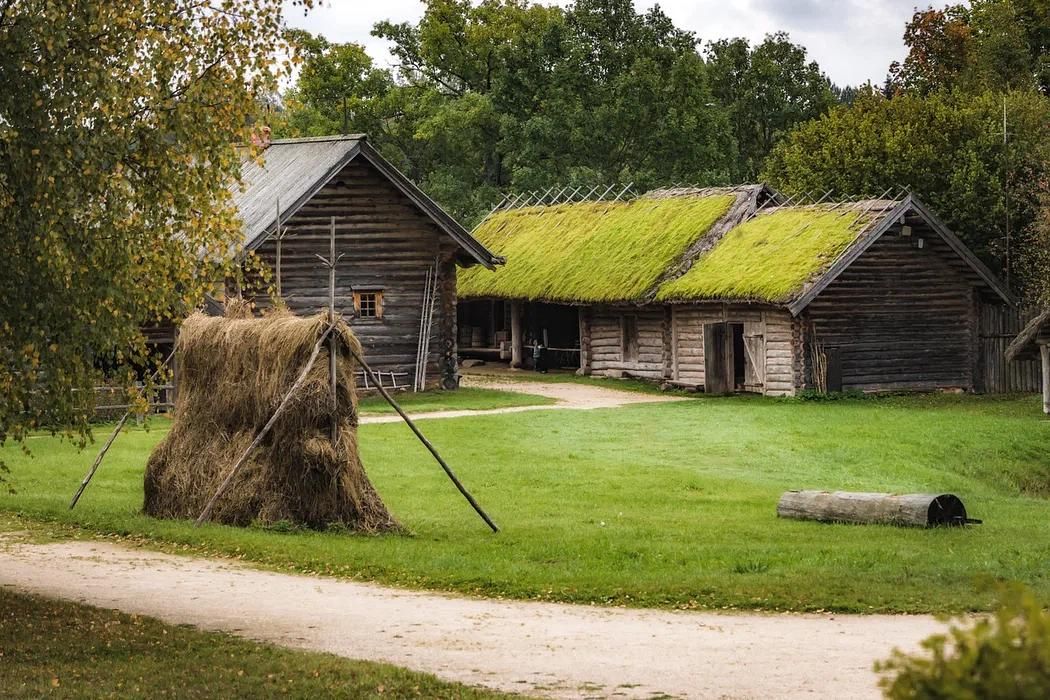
x=736, y=290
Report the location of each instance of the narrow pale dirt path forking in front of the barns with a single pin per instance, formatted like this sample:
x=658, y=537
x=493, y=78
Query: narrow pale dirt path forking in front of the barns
x=569, y=395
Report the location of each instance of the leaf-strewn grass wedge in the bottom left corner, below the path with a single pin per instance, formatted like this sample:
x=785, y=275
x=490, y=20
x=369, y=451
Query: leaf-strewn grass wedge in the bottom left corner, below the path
x=64, y=650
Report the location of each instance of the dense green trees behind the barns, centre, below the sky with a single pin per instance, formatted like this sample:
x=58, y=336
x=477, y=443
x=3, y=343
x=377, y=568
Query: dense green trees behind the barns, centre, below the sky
x=512, y=95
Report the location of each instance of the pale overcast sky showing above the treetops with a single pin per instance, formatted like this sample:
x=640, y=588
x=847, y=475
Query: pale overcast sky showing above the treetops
x=853, y=40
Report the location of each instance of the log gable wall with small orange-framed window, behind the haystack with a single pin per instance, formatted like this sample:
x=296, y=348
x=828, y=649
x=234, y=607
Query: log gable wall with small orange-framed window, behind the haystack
x=388, y=245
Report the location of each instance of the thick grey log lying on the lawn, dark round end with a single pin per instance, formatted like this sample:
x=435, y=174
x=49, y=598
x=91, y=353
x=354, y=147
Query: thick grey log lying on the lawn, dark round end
x=907, y=510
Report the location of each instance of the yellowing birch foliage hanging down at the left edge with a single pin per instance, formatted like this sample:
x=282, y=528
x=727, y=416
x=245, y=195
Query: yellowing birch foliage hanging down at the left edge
x=119, y=124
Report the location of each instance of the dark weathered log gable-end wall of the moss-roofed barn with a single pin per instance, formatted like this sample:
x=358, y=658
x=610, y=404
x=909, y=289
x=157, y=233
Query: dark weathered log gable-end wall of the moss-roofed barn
x=902, y=319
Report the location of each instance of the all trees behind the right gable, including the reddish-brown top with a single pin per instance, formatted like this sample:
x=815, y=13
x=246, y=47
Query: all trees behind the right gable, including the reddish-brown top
x=937, y=130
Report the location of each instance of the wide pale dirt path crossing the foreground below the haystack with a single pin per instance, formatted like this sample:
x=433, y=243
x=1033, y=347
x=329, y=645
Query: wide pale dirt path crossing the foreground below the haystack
x=542, y=649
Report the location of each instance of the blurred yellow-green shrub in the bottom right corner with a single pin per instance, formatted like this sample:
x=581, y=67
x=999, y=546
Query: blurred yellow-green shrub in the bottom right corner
x=1006, y=656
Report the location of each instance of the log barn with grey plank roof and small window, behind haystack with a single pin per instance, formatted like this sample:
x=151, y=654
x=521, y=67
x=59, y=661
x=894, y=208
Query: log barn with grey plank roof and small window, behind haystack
x=393, y=240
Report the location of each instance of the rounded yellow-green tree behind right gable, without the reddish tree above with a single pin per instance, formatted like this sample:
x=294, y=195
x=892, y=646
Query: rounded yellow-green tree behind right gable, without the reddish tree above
x=947, y=149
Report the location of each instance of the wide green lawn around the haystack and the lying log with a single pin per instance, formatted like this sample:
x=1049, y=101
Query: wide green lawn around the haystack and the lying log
x=660, y=505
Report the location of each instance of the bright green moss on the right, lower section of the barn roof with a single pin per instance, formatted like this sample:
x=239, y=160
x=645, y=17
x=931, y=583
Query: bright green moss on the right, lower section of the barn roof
x=770, y=258
